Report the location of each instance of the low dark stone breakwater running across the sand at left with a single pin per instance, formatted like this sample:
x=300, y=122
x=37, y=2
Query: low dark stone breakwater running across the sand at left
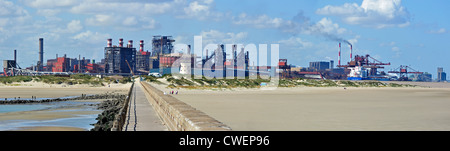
x=82, y=97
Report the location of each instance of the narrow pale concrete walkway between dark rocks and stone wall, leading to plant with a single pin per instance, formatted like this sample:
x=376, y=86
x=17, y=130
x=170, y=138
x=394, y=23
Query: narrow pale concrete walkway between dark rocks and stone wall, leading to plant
x=141, y=115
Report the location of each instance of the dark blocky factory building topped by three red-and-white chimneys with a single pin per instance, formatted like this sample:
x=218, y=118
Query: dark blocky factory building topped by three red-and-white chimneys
x=119, y=59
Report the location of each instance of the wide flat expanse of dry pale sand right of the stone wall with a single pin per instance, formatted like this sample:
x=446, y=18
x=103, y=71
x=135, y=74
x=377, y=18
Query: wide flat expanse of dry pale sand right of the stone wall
x=312, y=108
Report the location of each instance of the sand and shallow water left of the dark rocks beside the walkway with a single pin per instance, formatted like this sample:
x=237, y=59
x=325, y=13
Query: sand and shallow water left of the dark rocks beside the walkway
x=79, y=115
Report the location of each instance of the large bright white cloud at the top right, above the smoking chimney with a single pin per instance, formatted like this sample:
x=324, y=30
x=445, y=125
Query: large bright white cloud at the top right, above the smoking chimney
x=371, y=13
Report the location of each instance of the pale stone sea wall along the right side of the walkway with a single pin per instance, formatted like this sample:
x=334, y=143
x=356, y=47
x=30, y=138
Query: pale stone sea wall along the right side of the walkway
x=179, y=116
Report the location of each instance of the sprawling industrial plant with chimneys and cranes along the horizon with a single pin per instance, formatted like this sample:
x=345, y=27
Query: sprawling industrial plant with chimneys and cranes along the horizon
x=126, y=60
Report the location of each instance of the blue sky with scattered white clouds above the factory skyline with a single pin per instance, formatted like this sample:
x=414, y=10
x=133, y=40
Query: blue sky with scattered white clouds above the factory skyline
x=412, y=32
